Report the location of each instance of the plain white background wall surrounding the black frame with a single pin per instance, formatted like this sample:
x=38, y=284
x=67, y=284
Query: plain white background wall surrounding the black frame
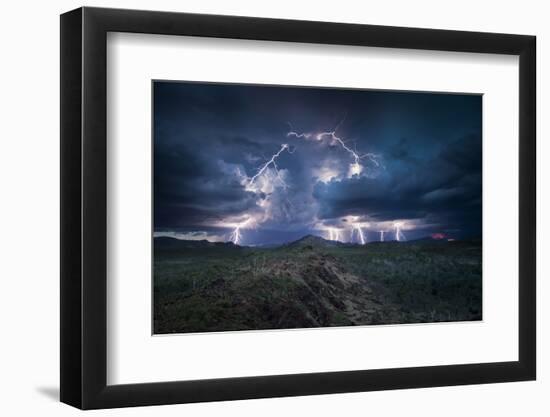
x=29, y=207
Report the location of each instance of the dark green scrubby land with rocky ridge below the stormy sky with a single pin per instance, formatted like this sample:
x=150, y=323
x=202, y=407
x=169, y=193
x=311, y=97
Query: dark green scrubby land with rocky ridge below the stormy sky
x=201, y=286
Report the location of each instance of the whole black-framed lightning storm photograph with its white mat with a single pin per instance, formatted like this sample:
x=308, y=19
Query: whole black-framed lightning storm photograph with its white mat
x=257, y=208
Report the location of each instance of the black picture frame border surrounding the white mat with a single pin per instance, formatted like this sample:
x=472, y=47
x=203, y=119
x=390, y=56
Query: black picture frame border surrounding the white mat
x=84, y=207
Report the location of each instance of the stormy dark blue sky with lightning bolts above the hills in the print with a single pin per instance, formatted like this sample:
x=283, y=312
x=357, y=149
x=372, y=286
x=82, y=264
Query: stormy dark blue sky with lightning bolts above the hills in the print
x=354, y=161
